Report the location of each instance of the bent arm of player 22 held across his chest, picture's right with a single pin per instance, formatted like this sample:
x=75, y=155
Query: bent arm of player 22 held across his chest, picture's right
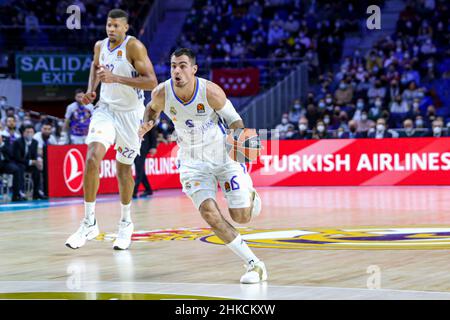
x=137, y=53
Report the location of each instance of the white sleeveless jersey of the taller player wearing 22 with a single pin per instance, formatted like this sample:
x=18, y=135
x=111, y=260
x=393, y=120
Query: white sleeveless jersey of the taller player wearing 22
x=119, y=97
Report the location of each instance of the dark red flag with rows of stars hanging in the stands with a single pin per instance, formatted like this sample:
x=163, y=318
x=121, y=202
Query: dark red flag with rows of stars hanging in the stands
x=237, y=82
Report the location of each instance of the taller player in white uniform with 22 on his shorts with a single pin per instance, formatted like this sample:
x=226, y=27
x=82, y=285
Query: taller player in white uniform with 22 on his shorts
x=122, y=65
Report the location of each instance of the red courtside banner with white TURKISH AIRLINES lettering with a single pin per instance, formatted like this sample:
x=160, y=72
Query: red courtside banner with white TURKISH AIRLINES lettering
x=344, y=162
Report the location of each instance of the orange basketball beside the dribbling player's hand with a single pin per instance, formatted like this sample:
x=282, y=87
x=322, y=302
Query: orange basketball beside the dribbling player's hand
x=243, y=145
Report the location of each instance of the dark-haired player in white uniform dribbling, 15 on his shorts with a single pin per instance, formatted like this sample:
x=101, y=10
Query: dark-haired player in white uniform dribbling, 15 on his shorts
x=196, y=107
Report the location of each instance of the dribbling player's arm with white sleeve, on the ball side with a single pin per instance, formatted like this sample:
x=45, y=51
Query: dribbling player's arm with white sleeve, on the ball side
x=217, y=99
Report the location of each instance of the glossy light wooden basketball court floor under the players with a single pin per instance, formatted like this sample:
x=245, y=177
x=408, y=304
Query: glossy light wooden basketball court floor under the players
x=317, y=243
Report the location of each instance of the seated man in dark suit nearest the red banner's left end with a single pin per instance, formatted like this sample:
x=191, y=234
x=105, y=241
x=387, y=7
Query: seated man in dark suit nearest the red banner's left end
x=25, y=151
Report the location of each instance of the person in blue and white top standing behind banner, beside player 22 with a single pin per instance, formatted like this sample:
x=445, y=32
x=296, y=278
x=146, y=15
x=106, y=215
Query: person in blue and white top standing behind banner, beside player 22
x=78, y=119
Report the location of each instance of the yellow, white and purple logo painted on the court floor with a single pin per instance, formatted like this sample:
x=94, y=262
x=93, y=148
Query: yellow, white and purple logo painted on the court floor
x=395, y=238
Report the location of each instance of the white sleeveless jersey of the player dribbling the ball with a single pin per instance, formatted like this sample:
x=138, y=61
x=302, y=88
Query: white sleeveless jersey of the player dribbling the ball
x=199, y=129
